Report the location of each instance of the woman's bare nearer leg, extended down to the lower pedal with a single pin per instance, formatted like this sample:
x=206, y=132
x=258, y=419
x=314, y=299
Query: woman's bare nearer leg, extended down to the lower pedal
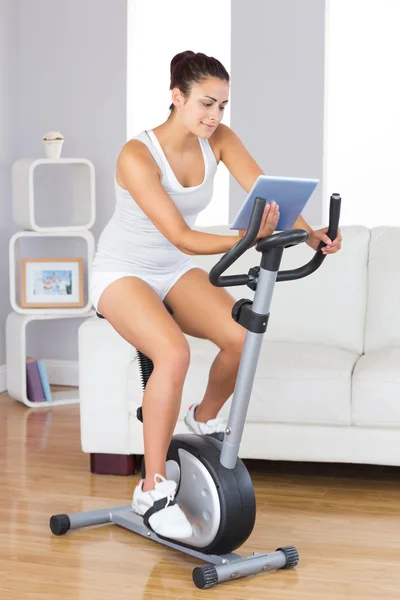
x=136, y=312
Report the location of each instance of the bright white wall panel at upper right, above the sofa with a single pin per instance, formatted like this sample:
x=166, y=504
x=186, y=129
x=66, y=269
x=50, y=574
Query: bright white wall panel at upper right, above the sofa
x=363, y=116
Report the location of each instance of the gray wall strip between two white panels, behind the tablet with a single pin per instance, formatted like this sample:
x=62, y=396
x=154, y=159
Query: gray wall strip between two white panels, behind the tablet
x=277, y=99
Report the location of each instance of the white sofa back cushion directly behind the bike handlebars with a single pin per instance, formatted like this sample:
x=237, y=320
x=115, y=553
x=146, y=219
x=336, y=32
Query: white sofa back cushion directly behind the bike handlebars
x=326, y=308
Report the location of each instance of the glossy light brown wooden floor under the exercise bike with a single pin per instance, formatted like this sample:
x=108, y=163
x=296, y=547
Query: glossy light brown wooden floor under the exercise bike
x=344, y=520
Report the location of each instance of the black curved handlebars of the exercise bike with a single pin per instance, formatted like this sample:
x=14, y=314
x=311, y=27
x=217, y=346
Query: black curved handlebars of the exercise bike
x=283, y=239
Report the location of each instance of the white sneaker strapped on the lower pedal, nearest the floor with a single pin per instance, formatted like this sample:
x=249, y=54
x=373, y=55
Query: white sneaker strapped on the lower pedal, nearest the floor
x=159, y=509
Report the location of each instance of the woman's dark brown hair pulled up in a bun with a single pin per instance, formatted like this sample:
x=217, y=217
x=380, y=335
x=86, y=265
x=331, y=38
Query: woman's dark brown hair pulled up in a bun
x=188, y=68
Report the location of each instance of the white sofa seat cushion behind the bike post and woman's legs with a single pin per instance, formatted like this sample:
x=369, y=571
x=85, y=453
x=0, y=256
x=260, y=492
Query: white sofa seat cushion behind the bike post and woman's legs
x=313, y=383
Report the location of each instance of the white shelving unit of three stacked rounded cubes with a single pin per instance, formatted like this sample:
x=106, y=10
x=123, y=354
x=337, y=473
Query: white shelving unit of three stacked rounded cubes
x=83, y=216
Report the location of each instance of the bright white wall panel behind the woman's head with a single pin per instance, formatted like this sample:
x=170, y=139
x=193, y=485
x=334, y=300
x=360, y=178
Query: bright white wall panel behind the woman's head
x=151, y=47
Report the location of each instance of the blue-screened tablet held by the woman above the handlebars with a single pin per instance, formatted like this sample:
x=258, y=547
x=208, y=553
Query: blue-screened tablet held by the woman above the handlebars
x=290, y=193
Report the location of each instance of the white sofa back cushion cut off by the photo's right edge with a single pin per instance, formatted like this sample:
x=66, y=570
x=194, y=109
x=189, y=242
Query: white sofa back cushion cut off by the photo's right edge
x=383, y=322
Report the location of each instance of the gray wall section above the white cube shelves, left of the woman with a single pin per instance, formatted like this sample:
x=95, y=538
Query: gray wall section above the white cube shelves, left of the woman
x=76, y=83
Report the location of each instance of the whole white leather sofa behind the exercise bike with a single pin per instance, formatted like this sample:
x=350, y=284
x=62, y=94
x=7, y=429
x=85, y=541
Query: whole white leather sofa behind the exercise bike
x=327, y=386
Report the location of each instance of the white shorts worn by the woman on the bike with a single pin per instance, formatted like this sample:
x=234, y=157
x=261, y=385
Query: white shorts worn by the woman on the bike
x=161, y=284
